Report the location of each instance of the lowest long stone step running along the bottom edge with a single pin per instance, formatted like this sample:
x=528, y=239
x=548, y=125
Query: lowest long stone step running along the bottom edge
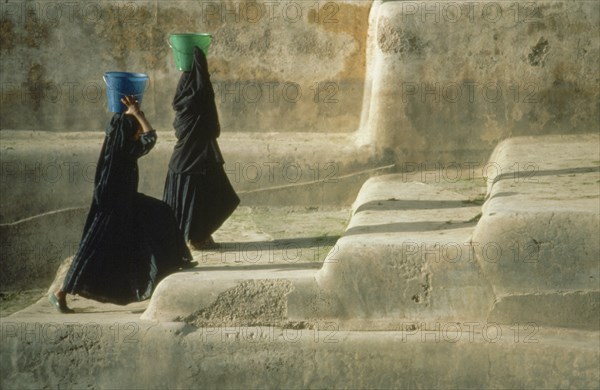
x=120, y=352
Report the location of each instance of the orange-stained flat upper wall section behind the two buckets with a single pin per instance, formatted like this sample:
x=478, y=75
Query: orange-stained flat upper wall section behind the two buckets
x=298, y=60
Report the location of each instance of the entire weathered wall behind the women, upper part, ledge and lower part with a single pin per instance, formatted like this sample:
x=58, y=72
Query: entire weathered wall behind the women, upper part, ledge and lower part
x=420, y=81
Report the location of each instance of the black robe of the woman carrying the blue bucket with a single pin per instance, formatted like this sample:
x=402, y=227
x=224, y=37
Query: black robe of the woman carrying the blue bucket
x=130, y=241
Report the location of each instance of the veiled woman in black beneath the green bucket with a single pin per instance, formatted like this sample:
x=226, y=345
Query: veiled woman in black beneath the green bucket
x=197, y=187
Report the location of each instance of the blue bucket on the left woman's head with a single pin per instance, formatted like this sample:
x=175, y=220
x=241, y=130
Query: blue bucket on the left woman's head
x=120, y=84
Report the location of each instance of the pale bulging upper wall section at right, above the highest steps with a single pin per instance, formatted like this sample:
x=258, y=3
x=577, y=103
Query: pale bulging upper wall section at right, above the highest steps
x=448, y=80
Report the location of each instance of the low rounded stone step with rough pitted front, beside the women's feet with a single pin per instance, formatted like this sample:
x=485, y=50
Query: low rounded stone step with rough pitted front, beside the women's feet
x=239, y=294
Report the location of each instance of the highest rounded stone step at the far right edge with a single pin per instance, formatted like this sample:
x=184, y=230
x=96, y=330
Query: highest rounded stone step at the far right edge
x=538, y=234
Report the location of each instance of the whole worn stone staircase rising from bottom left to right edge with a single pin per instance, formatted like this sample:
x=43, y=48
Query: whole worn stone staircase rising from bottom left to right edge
x=422, y=290
